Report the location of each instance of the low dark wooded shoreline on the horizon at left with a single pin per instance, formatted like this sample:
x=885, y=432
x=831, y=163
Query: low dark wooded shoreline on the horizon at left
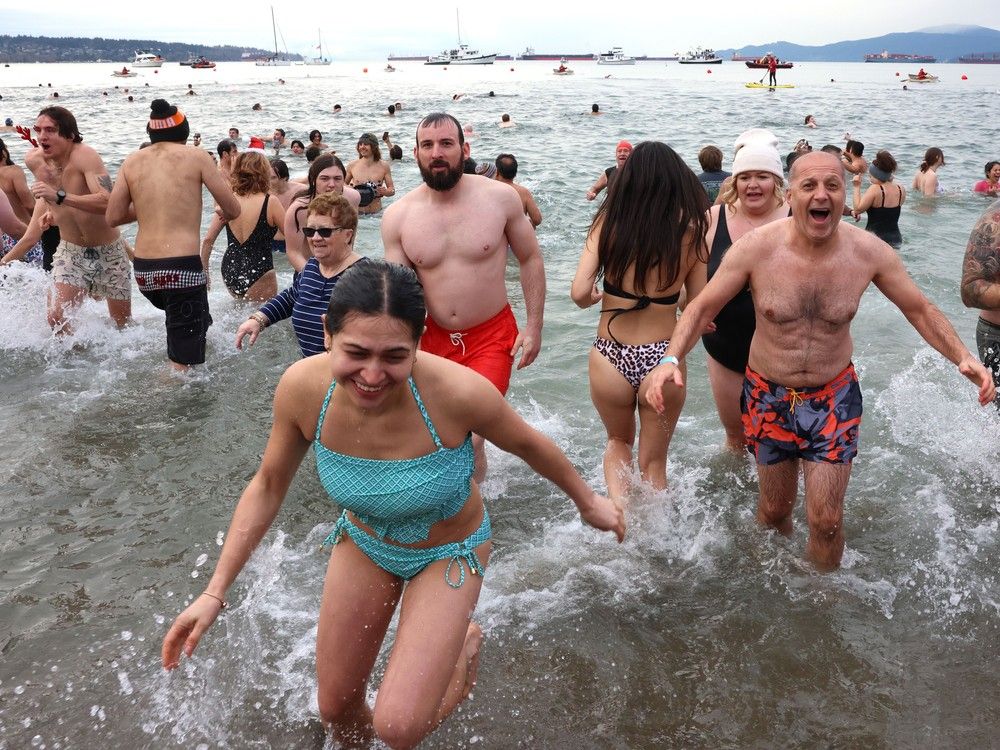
x=78, y=49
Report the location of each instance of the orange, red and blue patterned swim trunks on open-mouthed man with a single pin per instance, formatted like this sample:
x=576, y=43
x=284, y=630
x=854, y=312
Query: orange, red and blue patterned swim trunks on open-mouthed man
x=814, y=424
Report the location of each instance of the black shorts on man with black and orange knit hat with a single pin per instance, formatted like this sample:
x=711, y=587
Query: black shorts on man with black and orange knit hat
x=188, y=317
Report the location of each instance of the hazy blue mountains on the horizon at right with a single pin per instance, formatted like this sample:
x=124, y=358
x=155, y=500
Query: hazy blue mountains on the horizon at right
x=943, y=42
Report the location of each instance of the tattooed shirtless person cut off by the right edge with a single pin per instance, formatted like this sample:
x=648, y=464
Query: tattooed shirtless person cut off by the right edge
x=981, y=287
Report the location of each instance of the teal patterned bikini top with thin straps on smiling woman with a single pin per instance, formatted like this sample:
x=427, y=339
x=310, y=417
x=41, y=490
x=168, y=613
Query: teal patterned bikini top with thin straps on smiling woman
x=398, y=498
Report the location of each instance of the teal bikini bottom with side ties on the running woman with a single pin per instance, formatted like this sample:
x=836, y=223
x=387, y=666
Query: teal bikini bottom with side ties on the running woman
x=406, y=562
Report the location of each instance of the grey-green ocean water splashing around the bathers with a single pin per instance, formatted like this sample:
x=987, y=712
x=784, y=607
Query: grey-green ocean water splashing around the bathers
x=701, y=630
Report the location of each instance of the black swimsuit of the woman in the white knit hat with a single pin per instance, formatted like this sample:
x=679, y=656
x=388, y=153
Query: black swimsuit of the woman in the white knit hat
x=729, y=344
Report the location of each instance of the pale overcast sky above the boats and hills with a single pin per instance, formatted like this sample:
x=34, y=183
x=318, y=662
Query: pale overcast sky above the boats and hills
x=371, y=30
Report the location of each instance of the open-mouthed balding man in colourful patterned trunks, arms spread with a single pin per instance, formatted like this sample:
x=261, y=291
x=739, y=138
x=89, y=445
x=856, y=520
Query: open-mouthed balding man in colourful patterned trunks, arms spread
x=802, y=400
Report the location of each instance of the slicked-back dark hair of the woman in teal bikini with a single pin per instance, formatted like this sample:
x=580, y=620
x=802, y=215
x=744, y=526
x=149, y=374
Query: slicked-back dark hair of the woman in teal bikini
x=377, y=287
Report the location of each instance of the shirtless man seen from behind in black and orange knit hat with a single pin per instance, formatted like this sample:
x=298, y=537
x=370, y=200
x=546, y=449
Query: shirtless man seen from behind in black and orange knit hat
x=160, y=188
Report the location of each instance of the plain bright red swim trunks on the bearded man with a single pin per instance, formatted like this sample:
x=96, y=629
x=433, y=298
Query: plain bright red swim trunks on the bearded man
x=484, y=348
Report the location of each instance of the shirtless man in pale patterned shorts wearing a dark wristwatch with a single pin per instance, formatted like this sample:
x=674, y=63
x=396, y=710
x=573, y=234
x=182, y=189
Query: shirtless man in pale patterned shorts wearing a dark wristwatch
x=71, y=191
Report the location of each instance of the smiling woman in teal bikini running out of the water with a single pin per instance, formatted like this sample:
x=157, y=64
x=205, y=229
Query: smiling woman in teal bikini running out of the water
x=391, y=429
